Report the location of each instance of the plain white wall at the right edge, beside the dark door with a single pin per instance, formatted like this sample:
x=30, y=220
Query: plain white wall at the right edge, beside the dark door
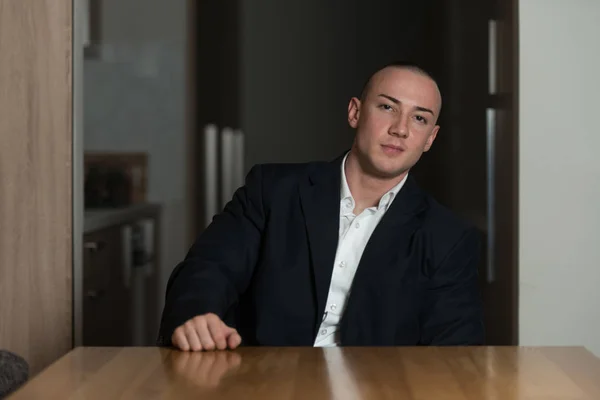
x=559, y=173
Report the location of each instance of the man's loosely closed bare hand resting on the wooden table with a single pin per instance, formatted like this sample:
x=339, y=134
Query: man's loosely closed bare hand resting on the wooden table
x=205, y=332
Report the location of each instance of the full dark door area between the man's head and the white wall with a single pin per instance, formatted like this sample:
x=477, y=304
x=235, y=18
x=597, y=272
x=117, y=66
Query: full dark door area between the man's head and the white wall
x=472, y=166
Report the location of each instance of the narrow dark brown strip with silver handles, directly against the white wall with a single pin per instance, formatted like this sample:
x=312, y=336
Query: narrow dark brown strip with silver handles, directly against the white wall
x=501, y=285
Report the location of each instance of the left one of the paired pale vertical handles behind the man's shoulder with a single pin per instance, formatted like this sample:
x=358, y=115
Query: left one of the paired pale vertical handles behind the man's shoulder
x=211, y=167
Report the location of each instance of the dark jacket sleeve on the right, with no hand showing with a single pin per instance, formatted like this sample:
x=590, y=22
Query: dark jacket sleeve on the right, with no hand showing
x=452, y=312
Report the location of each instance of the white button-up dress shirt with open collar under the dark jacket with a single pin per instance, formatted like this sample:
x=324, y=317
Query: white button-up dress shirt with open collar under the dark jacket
x=354, y=234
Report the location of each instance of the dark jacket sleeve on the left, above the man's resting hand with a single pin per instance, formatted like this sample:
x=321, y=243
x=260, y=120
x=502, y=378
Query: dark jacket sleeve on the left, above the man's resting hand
x=220, y=264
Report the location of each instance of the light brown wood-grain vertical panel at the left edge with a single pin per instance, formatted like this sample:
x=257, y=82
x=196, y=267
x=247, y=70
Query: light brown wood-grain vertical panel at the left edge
x=35, y=179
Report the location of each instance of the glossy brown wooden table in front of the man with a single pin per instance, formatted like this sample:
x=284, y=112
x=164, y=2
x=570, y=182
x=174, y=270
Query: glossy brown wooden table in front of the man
x=502, y=373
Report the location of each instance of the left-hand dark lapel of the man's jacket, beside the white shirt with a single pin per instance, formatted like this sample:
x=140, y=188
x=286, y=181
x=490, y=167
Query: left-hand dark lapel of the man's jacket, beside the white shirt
x=320, y=199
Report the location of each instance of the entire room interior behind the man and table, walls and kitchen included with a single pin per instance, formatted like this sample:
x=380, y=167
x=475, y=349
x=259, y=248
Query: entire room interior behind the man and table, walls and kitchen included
x=127, y=124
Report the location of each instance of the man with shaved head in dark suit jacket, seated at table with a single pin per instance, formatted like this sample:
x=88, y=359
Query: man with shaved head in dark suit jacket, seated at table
x=349, y=252
